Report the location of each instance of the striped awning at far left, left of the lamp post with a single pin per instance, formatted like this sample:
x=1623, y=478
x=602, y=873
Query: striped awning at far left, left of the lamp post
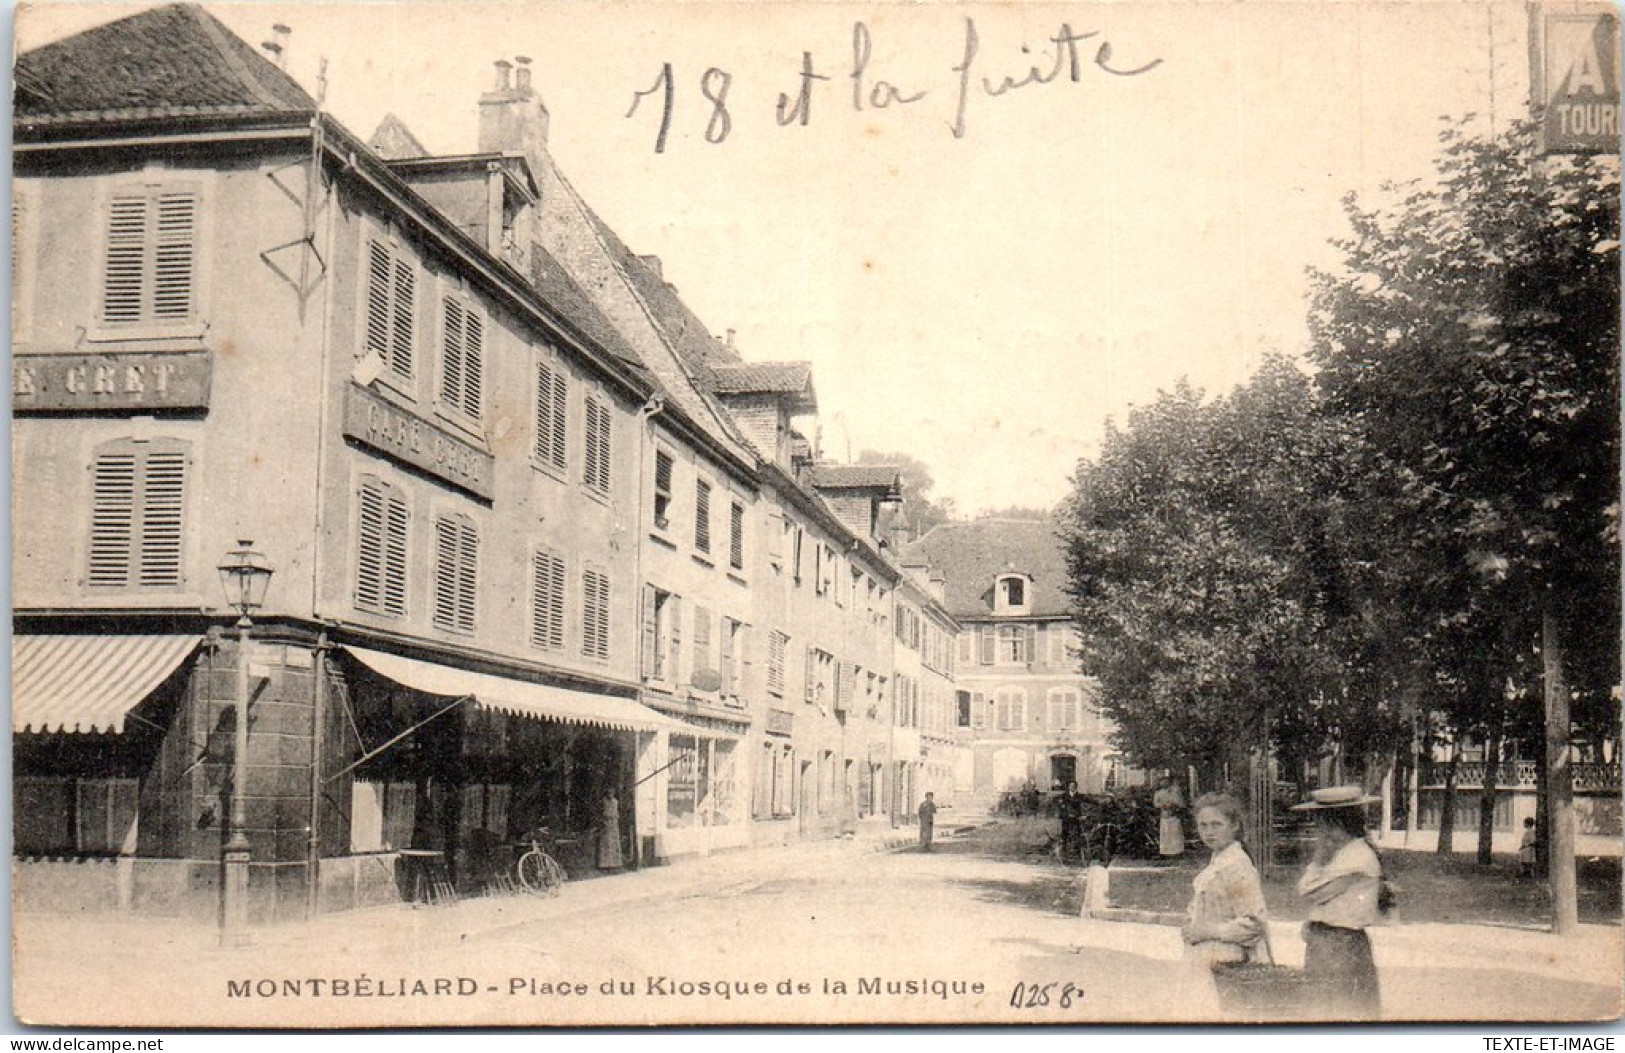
x=89, y=683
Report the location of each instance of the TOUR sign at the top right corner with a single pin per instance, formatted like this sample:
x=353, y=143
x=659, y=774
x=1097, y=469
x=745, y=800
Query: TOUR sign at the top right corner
x=1579, y=71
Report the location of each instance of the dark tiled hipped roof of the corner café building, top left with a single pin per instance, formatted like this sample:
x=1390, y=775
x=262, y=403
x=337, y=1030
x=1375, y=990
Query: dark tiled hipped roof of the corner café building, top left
x=170, y=63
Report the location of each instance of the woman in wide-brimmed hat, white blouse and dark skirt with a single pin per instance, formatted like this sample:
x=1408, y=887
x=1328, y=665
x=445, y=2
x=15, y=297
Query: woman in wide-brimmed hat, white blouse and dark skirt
x=1343, y=886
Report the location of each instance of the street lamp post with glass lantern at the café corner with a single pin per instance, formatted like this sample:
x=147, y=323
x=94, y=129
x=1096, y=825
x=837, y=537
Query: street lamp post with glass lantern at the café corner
x=245, y=578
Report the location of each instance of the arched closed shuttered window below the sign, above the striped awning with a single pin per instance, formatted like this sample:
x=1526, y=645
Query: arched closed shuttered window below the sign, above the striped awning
x=137, y=514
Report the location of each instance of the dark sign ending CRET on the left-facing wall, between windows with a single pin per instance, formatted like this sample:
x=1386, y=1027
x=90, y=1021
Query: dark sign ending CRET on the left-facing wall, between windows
x=110, y=383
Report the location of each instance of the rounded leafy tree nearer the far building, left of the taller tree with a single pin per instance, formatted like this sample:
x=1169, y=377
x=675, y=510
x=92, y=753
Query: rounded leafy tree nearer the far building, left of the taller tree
x=1216, y=581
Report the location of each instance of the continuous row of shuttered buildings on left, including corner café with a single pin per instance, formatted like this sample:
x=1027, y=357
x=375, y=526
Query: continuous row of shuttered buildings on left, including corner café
x=547, y=553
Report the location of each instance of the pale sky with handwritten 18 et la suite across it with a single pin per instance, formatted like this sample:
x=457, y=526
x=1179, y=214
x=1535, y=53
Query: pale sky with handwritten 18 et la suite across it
x=984, y=277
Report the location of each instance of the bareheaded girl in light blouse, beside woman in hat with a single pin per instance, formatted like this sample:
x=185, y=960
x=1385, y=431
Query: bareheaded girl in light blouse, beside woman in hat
x=1228, y=899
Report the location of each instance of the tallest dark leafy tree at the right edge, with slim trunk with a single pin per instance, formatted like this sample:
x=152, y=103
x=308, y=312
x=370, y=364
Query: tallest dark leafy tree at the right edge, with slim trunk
x=1473, y=334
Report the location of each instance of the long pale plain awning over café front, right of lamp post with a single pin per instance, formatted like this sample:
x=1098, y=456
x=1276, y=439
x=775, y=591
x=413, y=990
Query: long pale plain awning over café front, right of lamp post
x=518, y=698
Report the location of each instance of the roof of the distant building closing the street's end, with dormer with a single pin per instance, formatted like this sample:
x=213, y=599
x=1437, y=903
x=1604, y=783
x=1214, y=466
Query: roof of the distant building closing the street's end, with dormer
x=973, y=555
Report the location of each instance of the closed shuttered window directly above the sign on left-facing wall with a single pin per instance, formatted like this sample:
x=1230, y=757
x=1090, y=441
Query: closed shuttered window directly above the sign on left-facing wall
x=150, y=269
